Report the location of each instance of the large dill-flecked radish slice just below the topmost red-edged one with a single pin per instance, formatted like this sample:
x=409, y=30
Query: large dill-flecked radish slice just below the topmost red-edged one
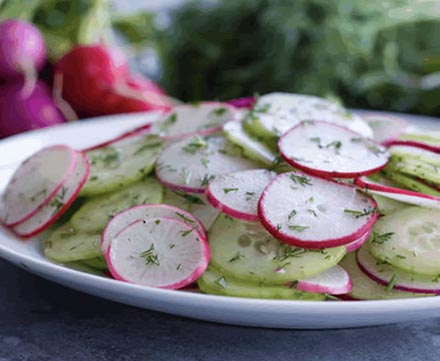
x=312, y=212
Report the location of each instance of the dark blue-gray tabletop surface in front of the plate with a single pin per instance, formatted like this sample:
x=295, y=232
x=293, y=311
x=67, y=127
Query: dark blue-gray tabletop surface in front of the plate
x=42, y=321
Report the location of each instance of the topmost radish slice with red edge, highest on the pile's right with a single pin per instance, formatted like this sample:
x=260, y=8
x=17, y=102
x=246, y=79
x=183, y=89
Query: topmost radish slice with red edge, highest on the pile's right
x=330, y=150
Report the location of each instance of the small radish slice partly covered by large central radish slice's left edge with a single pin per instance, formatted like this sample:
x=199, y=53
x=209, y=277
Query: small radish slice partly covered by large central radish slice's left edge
x=237, y=194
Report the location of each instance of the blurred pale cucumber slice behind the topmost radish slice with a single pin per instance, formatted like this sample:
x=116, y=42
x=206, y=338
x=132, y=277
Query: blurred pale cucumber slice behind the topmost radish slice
x=273, y=114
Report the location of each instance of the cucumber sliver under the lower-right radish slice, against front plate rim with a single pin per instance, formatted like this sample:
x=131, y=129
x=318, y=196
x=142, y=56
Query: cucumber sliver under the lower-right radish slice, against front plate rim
x=365, y=288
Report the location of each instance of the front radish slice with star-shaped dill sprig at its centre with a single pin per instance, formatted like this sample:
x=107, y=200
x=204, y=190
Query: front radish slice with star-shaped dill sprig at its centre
x=159, y=252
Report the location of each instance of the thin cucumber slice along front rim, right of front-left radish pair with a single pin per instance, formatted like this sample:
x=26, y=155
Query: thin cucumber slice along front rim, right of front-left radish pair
x=215, y=282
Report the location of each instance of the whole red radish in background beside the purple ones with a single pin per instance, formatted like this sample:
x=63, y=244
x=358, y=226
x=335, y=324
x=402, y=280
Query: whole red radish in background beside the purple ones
x=96, y=81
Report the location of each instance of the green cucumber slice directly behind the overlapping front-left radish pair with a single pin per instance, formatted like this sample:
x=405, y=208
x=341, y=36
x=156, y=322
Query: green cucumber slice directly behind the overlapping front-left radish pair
x=97, y=211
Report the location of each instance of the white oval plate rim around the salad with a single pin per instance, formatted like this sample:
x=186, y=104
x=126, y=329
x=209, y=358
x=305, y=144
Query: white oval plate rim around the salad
x=239, y=311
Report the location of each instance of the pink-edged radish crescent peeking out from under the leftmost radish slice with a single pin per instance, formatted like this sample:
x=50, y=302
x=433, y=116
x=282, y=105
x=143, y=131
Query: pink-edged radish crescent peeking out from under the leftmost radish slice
x=28, y=229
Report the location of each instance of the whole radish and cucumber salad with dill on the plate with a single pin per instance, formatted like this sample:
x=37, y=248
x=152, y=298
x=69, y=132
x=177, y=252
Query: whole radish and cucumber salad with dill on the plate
x=290, y=197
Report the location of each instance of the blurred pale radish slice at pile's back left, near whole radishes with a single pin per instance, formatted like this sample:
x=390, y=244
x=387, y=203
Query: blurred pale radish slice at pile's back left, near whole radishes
x=189, y=120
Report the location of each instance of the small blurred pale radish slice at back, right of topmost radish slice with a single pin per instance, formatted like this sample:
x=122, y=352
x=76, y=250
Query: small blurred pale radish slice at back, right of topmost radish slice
x=386, y=128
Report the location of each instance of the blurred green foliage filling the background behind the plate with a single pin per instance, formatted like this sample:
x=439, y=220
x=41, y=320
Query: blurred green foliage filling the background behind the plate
x=371, y=54
